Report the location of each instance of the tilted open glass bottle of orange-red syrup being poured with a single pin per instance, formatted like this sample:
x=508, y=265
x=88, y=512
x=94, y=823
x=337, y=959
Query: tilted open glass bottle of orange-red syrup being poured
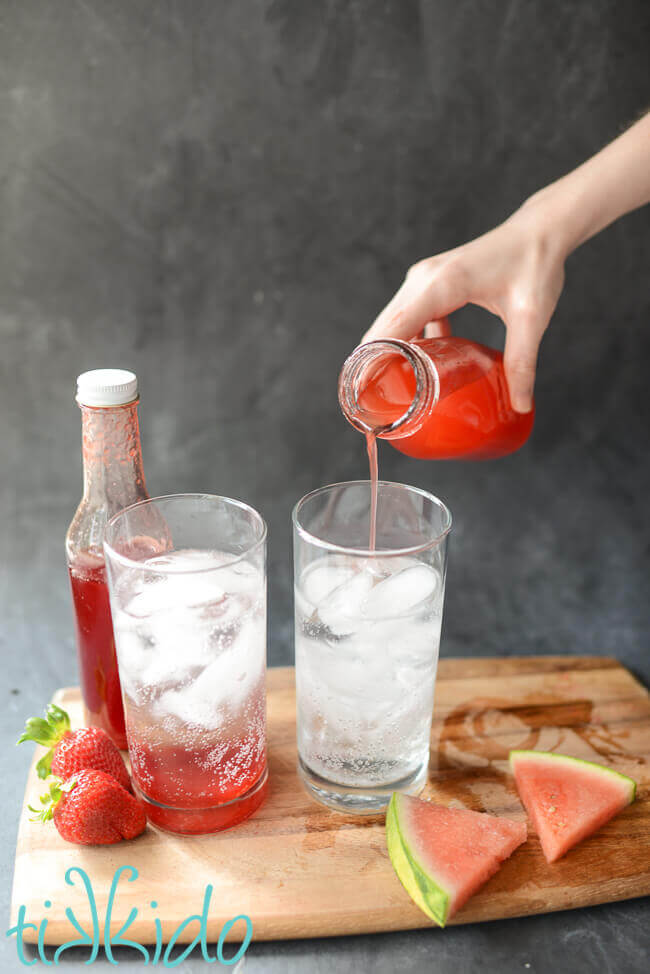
x=433, y=399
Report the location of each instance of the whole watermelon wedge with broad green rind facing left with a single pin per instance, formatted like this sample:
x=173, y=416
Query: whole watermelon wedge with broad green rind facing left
x=443, y=855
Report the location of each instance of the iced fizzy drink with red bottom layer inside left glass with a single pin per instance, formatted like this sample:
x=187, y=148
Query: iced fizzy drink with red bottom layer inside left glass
x=190, y=629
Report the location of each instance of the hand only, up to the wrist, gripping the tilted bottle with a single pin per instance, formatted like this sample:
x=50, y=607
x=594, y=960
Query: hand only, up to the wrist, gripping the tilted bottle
x=515, y=271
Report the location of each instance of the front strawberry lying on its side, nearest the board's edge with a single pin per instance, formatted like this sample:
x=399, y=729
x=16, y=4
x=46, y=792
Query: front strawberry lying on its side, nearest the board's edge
x=92, y=808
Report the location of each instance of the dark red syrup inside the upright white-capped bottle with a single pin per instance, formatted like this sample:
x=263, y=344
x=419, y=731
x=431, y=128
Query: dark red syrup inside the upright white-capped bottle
x=100, y=683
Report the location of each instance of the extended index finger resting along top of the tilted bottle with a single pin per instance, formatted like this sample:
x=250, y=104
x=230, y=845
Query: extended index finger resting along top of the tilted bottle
x=430, y=292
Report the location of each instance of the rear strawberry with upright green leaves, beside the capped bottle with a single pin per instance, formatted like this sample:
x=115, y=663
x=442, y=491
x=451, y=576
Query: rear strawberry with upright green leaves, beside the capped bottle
x=70, y=751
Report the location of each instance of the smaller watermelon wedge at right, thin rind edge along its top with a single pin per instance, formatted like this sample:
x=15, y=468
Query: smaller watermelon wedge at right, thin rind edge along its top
x=567, y=799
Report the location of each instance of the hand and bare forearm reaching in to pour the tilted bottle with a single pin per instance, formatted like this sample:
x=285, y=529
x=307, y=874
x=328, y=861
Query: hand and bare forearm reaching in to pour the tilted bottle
x=516, y=271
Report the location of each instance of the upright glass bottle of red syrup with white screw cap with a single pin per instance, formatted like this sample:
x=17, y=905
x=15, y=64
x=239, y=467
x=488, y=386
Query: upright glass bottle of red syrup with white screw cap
x=113, y=479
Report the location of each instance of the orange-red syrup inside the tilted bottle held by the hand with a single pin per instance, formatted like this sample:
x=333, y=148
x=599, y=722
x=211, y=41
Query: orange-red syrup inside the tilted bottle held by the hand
x=473, y=418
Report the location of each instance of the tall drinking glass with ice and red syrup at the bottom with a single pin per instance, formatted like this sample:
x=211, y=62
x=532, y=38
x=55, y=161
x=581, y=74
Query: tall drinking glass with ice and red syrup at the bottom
x=187, y=581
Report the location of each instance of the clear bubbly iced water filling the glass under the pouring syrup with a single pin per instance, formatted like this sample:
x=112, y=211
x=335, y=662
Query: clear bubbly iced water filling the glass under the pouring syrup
x=367, y=638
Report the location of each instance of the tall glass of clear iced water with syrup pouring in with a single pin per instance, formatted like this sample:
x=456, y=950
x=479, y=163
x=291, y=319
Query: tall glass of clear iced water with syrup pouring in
x=367, y=639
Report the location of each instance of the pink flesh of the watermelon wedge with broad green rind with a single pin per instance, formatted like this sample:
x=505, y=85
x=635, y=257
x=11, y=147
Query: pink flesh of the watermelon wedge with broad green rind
x=459, y=849
